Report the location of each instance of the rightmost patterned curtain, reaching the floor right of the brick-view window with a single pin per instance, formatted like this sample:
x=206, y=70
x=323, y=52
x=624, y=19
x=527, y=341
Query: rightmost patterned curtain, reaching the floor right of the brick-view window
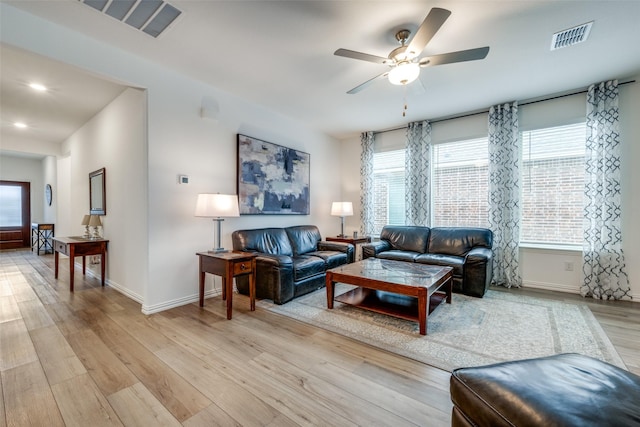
x=603, y=264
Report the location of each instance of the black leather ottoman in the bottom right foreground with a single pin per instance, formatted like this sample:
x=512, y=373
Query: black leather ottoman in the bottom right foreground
x=561, y=390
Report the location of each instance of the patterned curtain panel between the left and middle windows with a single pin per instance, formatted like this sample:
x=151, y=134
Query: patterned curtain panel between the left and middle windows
x=418, y=173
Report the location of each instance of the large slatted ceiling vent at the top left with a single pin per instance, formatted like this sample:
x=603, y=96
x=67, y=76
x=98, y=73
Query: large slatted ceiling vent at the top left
x=150, y=16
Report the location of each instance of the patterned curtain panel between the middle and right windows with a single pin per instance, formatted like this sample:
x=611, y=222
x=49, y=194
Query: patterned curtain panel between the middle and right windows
x=504, y=193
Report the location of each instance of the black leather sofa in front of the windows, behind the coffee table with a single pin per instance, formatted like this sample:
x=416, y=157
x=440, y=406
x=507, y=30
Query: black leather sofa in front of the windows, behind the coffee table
x=466, y=250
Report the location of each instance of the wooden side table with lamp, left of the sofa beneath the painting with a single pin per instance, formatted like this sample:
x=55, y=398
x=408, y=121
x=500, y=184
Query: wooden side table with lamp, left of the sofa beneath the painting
x=228, y=265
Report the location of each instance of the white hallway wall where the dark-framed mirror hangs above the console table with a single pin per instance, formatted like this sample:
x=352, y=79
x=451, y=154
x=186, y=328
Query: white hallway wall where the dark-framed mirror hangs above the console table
x=114, y=139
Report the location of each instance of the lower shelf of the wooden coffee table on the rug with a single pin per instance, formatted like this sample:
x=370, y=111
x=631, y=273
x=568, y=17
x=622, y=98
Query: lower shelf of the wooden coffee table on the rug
x=401, y=306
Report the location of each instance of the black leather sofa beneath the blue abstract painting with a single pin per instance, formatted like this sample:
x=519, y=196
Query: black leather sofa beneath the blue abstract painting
x=291, y=261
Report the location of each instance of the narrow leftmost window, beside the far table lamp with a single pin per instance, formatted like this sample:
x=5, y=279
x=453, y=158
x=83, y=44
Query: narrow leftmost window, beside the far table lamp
x=388, y=189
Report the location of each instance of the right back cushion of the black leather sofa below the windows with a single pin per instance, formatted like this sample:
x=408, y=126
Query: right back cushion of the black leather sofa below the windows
x=458, y=241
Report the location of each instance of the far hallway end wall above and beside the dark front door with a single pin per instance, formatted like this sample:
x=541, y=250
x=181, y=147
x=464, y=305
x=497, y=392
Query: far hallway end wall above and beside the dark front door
x=26, y=170
